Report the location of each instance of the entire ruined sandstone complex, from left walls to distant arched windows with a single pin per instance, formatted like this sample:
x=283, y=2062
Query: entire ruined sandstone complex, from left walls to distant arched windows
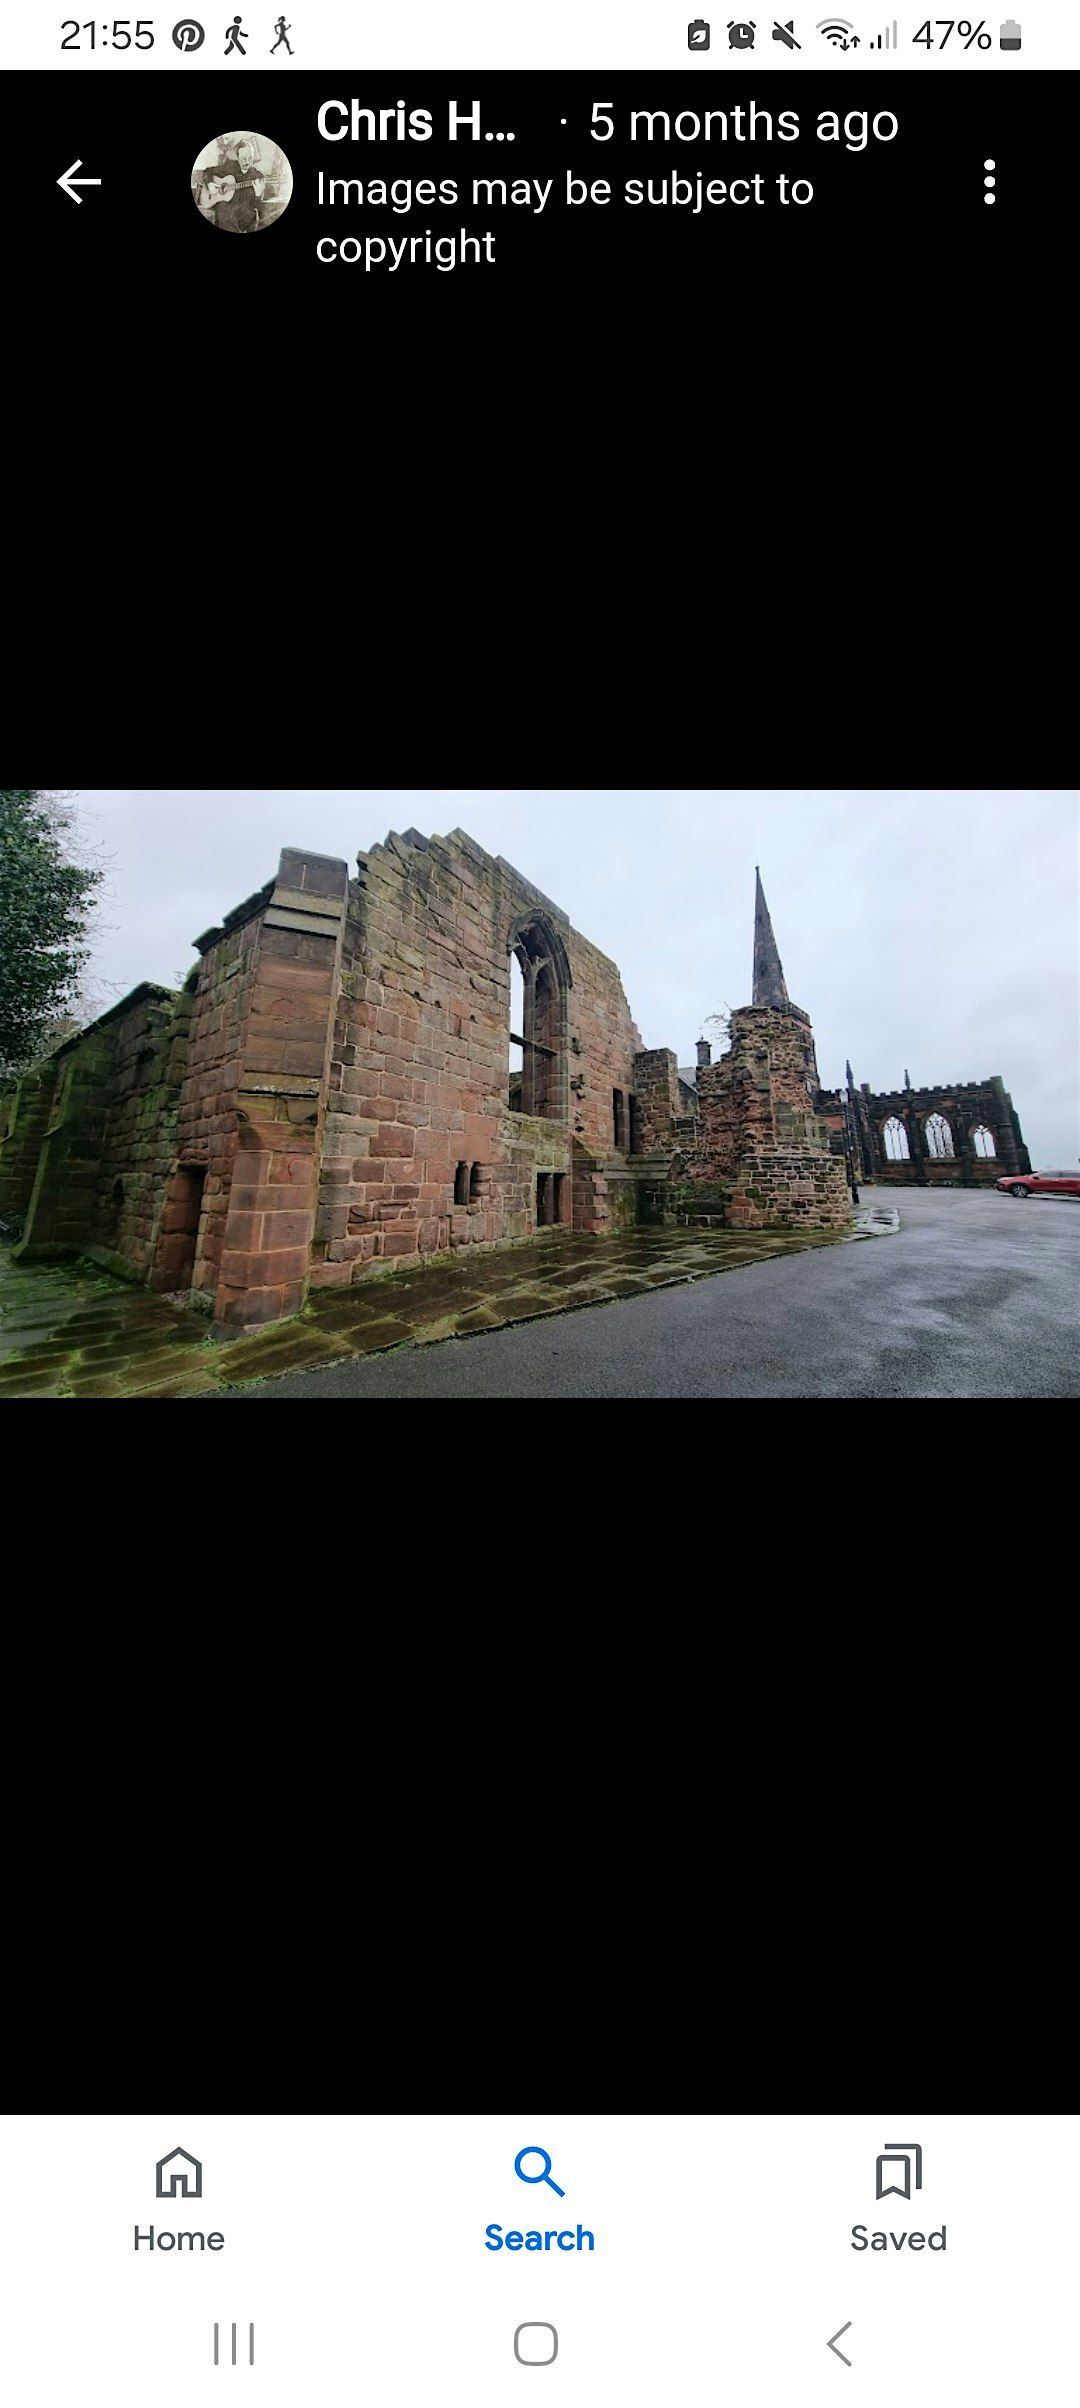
x=427, y=1056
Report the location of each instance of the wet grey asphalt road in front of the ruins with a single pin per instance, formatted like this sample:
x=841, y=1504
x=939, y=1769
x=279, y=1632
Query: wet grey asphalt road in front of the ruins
x=975, y=1297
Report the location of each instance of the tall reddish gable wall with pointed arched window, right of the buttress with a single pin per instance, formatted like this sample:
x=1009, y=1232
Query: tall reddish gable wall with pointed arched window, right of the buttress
x=420, y=1066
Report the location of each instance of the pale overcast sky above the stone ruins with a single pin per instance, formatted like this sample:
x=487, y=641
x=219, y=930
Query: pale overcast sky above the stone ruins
x=930, y=931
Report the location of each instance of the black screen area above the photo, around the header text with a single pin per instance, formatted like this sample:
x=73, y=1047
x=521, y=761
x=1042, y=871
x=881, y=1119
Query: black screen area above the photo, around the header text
x=756, y=497
